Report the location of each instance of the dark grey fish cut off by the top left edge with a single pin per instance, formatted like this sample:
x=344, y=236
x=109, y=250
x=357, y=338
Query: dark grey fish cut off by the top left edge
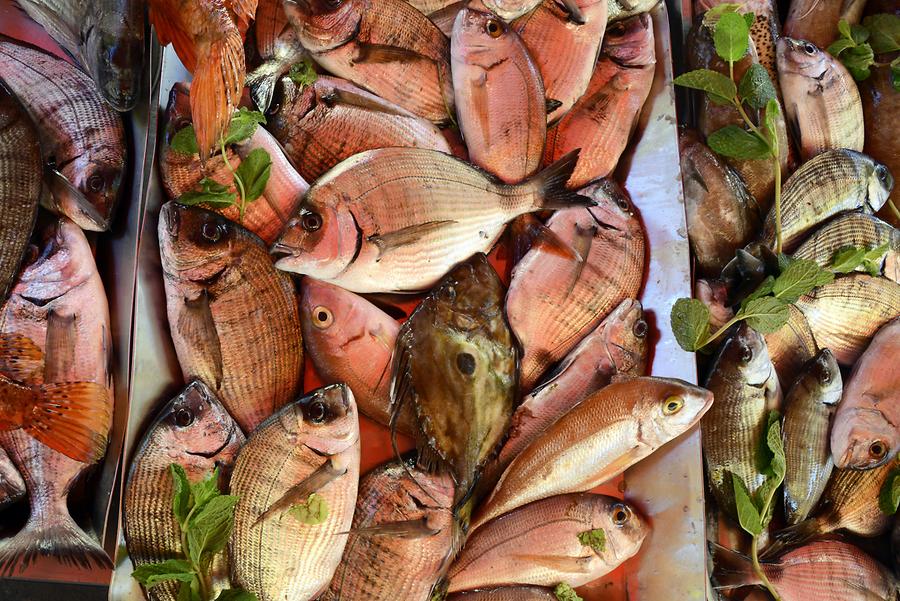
x=106, y=38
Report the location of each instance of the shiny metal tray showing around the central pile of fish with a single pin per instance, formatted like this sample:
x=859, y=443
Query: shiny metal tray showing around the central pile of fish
x=667, y=487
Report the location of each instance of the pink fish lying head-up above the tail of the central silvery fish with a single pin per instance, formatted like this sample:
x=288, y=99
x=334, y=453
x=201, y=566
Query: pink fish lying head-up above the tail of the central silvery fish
x=499, y=95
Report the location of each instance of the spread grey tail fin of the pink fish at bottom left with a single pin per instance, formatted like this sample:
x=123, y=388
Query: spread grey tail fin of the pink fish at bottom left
x=51, y=534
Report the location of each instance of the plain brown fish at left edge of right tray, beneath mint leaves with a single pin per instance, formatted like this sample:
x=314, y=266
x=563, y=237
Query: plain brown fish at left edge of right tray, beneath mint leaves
x=722, y=215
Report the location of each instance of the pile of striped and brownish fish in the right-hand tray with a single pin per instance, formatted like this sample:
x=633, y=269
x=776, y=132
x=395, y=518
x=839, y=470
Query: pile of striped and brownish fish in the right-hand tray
x=832, y=370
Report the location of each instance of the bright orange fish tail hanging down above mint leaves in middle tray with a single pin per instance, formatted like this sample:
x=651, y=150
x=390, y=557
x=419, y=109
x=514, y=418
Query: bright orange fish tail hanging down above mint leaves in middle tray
x=216, y=90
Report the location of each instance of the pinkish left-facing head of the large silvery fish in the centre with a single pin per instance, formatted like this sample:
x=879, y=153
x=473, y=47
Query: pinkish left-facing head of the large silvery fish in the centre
x=320, y=240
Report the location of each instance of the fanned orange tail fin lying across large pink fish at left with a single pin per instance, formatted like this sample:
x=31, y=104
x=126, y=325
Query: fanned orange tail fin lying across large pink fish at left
x=72, y=418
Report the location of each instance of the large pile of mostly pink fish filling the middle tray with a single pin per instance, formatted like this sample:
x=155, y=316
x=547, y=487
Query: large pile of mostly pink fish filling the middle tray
x=441, y=238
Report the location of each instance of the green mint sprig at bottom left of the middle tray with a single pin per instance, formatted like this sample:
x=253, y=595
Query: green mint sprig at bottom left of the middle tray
x=205, y=520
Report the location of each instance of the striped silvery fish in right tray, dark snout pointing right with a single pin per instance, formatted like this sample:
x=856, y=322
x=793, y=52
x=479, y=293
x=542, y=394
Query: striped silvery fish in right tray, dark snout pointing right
x=833, y=182
